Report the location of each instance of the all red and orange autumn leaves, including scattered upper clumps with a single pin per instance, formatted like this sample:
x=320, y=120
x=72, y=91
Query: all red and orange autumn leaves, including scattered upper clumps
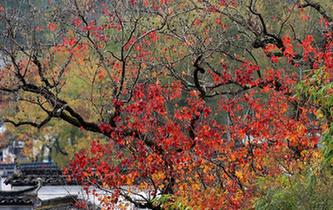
x=168, y=132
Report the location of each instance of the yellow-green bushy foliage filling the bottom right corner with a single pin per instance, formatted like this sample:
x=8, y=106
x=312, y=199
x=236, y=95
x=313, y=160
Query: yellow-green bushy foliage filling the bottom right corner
x=309, y=191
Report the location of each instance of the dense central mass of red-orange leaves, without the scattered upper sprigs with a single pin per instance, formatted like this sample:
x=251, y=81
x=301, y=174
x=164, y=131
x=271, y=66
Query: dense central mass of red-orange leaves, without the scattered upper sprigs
x=166, y=148
